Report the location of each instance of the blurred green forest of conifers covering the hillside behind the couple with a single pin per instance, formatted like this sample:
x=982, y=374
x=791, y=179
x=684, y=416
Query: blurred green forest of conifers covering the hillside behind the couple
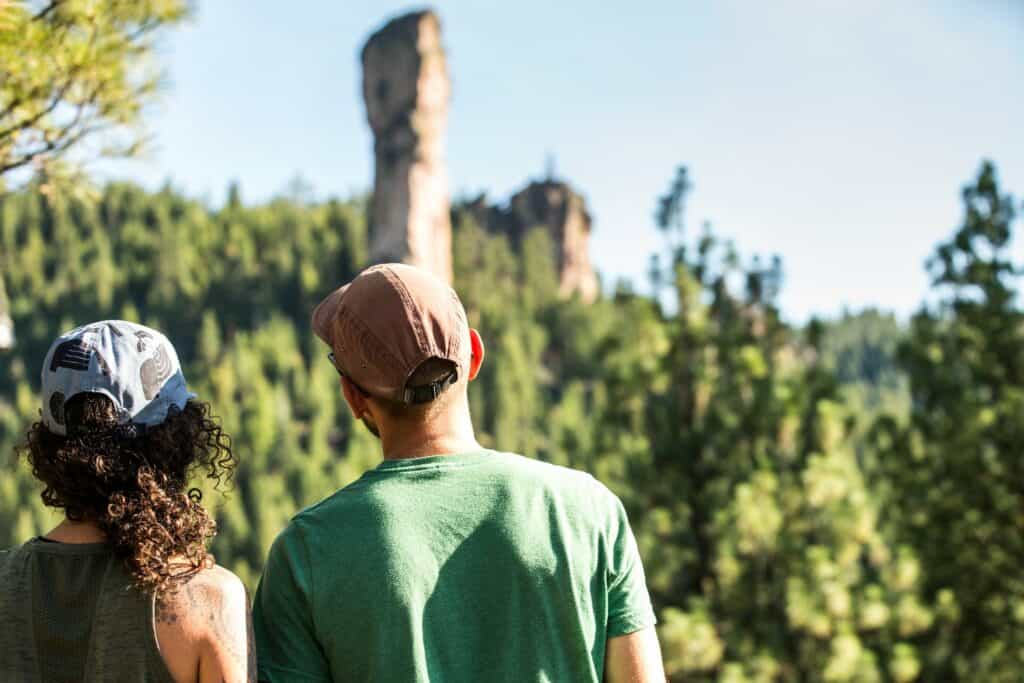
x=841, y=501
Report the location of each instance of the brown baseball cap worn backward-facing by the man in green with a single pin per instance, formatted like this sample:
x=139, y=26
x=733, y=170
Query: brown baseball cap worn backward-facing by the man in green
x=387, y=323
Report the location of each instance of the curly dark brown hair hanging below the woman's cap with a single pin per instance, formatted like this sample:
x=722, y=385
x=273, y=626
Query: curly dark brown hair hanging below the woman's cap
x=136, y=487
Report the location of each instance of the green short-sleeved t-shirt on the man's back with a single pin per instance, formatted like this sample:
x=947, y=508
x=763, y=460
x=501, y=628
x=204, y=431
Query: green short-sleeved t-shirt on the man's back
x=481, y=567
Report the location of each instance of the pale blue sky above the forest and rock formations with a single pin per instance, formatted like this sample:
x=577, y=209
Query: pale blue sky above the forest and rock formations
x=836, y=135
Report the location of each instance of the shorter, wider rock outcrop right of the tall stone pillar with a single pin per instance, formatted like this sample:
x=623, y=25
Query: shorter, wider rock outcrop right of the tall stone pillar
x=556, y=206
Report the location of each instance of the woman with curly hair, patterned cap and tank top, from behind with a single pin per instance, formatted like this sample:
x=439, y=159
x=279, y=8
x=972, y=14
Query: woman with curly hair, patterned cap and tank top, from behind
x=123, y=589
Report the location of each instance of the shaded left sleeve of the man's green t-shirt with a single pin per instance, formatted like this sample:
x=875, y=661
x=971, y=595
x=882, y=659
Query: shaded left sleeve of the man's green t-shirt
x=287, y=649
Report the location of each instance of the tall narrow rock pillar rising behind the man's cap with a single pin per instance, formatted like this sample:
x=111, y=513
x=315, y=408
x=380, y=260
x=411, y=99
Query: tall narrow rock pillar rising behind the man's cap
x=406, y=89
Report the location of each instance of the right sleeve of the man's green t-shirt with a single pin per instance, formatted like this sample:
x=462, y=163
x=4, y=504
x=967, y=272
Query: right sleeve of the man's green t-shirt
x=629, y=603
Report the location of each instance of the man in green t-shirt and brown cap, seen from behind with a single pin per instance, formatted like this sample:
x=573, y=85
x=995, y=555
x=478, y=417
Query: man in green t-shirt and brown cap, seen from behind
x=448, y=563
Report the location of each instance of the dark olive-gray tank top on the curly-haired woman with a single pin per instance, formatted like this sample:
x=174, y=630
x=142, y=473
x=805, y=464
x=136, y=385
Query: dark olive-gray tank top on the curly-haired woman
x=69, y=614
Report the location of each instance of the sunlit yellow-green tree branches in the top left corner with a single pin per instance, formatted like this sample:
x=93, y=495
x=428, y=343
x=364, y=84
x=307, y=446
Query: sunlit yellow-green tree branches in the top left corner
x=76, y=76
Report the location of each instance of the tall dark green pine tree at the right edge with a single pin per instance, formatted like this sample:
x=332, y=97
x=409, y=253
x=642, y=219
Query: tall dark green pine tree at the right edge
x=955, y=476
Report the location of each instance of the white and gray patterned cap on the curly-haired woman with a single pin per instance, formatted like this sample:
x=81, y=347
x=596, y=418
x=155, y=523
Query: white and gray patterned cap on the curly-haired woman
x=134, y=366
